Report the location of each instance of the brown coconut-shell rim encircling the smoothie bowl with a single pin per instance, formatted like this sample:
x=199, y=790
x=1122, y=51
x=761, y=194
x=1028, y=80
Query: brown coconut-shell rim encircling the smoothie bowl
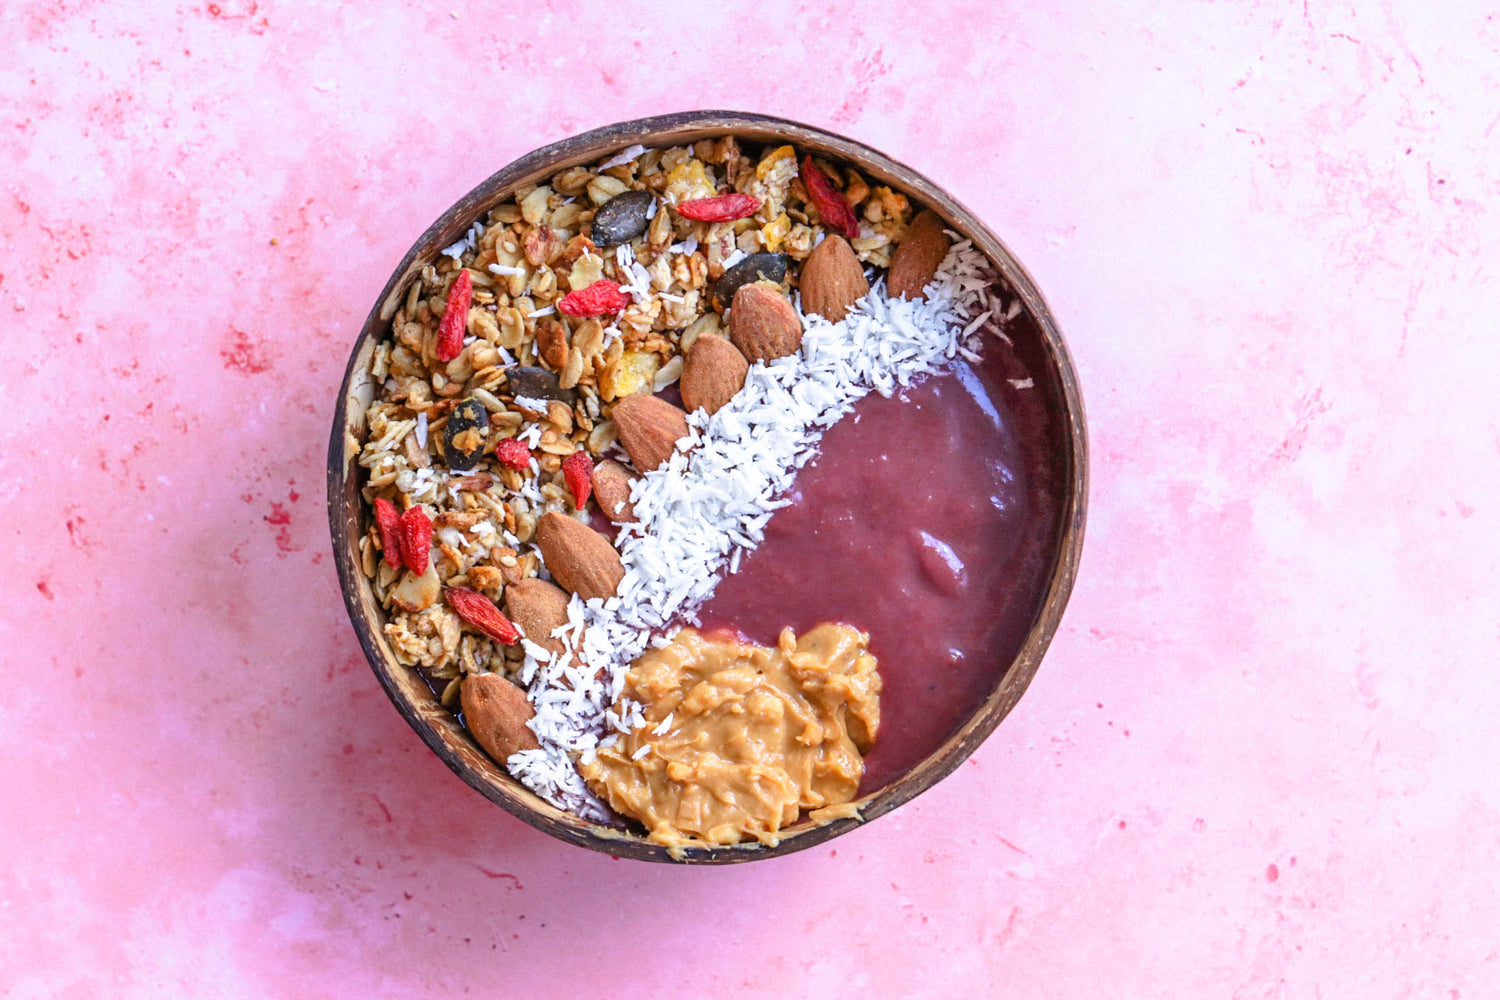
x=463, y=756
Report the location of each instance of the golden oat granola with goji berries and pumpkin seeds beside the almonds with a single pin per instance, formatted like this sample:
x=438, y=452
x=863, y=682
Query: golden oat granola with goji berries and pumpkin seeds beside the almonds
x=542, y=364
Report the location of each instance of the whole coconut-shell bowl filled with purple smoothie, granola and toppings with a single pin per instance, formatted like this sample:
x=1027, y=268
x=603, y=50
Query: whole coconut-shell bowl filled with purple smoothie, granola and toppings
x=706, y=487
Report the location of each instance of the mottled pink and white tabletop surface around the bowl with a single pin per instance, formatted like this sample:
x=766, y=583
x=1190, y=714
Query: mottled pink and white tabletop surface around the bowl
x=1259, y=761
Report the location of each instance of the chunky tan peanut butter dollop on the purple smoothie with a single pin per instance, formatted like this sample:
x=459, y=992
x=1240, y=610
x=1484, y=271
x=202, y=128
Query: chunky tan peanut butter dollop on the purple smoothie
x=749, y=737
